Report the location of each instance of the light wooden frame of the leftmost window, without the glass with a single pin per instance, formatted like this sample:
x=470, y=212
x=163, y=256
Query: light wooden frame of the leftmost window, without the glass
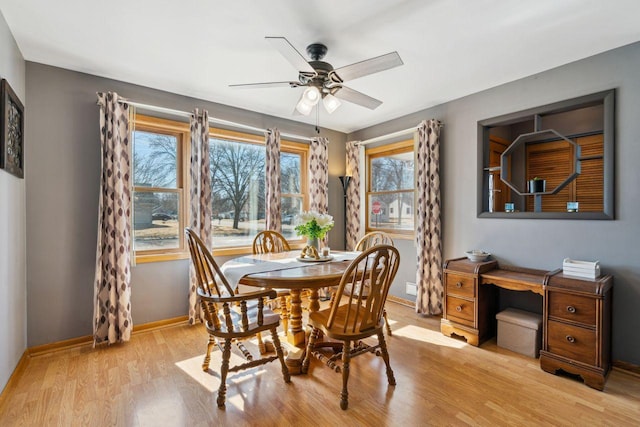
x=181, y=131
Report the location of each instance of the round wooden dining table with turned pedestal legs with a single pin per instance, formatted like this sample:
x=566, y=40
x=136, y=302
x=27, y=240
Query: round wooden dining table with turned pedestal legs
x=309, y=276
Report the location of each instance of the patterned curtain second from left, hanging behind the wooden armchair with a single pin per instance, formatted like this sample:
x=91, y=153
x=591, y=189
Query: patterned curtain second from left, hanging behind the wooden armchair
x=199, y=198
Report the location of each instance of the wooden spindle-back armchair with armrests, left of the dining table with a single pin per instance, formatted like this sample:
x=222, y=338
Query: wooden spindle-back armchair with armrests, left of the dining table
x=231, y=318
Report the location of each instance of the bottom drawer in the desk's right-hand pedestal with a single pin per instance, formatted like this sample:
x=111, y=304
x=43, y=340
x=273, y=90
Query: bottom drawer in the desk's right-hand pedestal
x=572, y=342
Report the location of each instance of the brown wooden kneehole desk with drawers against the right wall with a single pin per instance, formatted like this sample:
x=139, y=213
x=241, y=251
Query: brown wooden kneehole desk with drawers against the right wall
x=576, y=313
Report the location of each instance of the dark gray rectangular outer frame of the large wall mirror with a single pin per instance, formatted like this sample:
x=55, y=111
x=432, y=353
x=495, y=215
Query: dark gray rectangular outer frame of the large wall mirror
x=607, y=99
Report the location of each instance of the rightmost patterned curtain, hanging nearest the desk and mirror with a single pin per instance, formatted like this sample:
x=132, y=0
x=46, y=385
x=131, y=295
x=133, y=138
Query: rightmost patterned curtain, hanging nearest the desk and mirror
x=428, y=227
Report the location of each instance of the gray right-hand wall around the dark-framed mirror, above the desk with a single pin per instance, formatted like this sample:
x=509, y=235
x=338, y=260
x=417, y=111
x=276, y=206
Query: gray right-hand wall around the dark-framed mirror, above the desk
x=544, y=243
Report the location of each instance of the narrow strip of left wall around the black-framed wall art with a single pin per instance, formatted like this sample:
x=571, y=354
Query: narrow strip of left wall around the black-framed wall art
x=13, y=290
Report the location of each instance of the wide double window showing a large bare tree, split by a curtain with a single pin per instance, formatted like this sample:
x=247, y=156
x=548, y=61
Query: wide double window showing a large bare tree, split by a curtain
x=238, y=187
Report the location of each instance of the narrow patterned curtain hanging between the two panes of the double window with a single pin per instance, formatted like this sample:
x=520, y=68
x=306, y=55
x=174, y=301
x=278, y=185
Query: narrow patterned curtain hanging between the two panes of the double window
x=272, y=172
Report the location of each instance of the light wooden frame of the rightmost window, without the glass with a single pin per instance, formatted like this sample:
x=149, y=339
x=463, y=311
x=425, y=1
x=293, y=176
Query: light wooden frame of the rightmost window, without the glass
x=400, y=147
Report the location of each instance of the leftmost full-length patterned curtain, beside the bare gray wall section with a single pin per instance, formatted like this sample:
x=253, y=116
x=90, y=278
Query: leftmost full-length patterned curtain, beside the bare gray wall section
x=112, y=295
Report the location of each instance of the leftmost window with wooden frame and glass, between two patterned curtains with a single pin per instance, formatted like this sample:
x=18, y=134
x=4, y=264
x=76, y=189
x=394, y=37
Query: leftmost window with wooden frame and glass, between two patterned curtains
x=158, y=186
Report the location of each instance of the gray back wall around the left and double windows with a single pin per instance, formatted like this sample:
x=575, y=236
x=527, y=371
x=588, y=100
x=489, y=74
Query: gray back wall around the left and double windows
x=62, y=201
